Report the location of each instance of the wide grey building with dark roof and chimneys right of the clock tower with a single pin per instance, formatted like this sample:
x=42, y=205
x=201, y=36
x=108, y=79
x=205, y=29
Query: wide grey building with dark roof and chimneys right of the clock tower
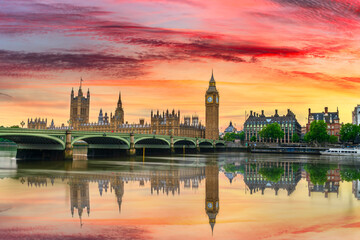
x=255, y=123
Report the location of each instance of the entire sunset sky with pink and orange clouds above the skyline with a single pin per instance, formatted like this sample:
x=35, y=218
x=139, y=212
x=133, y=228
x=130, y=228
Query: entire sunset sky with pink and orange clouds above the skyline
x=275, y=54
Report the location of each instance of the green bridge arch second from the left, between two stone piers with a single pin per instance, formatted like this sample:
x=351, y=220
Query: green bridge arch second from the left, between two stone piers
x=103, y=140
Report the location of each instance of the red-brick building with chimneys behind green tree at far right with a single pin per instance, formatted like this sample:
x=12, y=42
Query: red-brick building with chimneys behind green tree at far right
x=330, y=118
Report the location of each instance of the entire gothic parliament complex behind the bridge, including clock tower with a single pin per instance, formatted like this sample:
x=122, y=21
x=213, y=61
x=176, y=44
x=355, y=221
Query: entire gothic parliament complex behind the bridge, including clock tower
x=161, y=123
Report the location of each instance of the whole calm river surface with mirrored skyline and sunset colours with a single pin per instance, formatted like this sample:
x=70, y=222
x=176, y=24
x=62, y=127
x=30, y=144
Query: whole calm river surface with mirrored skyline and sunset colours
x=212, y=196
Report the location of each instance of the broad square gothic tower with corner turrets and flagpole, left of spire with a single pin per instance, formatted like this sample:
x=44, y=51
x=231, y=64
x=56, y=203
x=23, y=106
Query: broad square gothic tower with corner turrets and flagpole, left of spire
x=79, y=107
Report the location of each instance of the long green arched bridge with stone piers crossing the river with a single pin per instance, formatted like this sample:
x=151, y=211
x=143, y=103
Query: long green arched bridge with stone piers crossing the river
x=62, y=141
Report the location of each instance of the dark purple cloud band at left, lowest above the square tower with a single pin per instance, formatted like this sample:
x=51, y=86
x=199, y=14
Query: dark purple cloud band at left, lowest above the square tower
x=17, y=62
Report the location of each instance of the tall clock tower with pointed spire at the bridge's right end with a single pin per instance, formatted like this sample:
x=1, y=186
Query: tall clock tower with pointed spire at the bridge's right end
x=212, y=111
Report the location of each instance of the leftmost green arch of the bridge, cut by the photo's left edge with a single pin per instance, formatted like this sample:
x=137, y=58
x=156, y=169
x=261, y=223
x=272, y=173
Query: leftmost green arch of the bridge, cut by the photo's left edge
x=35, y=141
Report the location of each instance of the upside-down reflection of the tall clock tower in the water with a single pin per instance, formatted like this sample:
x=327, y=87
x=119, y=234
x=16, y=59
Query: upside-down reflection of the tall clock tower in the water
x=212, y=192
